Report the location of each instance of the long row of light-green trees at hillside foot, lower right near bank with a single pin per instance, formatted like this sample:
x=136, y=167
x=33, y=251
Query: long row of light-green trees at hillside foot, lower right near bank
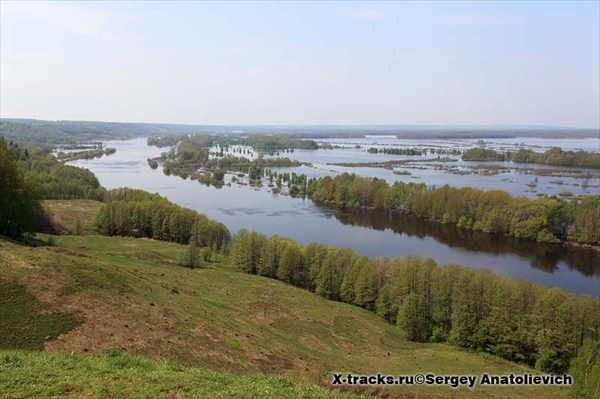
x=473, y=309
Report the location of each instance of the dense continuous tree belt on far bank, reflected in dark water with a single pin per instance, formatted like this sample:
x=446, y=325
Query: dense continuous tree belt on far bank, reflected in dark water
x=545, y=219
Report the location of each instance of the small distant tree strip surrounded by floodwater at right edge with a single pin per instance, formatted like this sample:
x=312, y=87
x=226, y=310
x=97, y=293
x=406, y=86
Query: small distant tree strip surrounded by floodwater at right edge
x=554, y=156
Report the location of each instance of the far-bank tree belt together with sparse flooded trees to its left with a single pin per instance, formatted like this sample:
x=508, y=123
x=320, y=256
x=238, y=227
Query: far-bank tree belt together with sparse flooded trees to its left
x=545, y=219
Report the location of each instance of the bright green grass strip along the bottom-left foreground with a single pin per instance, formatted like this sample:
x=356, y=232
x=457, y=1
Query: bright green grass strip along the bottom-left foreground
x=118, y=375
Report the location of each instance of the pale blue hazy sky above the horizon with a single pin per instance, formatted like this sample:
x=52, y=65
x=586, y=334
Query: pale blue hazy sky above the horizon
x=456, y=63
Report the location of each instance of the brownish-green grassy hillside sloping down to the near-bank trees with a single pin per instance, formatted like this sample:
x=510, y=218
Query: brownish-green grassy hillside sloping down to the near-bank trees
x=131, y=295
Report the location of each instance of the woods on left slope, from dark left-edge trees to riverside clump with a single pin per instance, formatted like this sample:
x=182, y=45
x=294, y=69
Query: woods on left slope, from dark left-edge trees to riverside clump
x=30, y=176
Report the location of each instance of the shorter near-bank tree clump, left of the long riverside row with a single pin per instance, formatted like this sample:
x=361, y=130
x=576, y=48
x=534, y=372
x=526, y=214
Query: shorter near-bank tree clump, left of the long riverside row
x=137, y=213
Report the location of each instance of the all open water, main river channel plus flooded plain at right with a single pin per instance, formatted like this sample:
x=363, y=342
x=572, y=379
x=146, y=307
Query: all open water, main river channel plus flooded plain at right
x=242, y=206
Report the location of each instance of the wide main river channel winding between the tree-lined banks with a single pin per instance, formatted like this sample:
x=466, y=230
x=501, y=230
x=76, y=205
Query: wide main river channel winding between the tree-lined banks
x=369, y=234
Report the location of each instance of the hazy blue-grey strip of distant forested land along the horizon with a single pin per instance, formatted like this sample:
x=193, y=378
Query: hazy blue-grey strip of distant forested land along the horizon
x=12, y=128
